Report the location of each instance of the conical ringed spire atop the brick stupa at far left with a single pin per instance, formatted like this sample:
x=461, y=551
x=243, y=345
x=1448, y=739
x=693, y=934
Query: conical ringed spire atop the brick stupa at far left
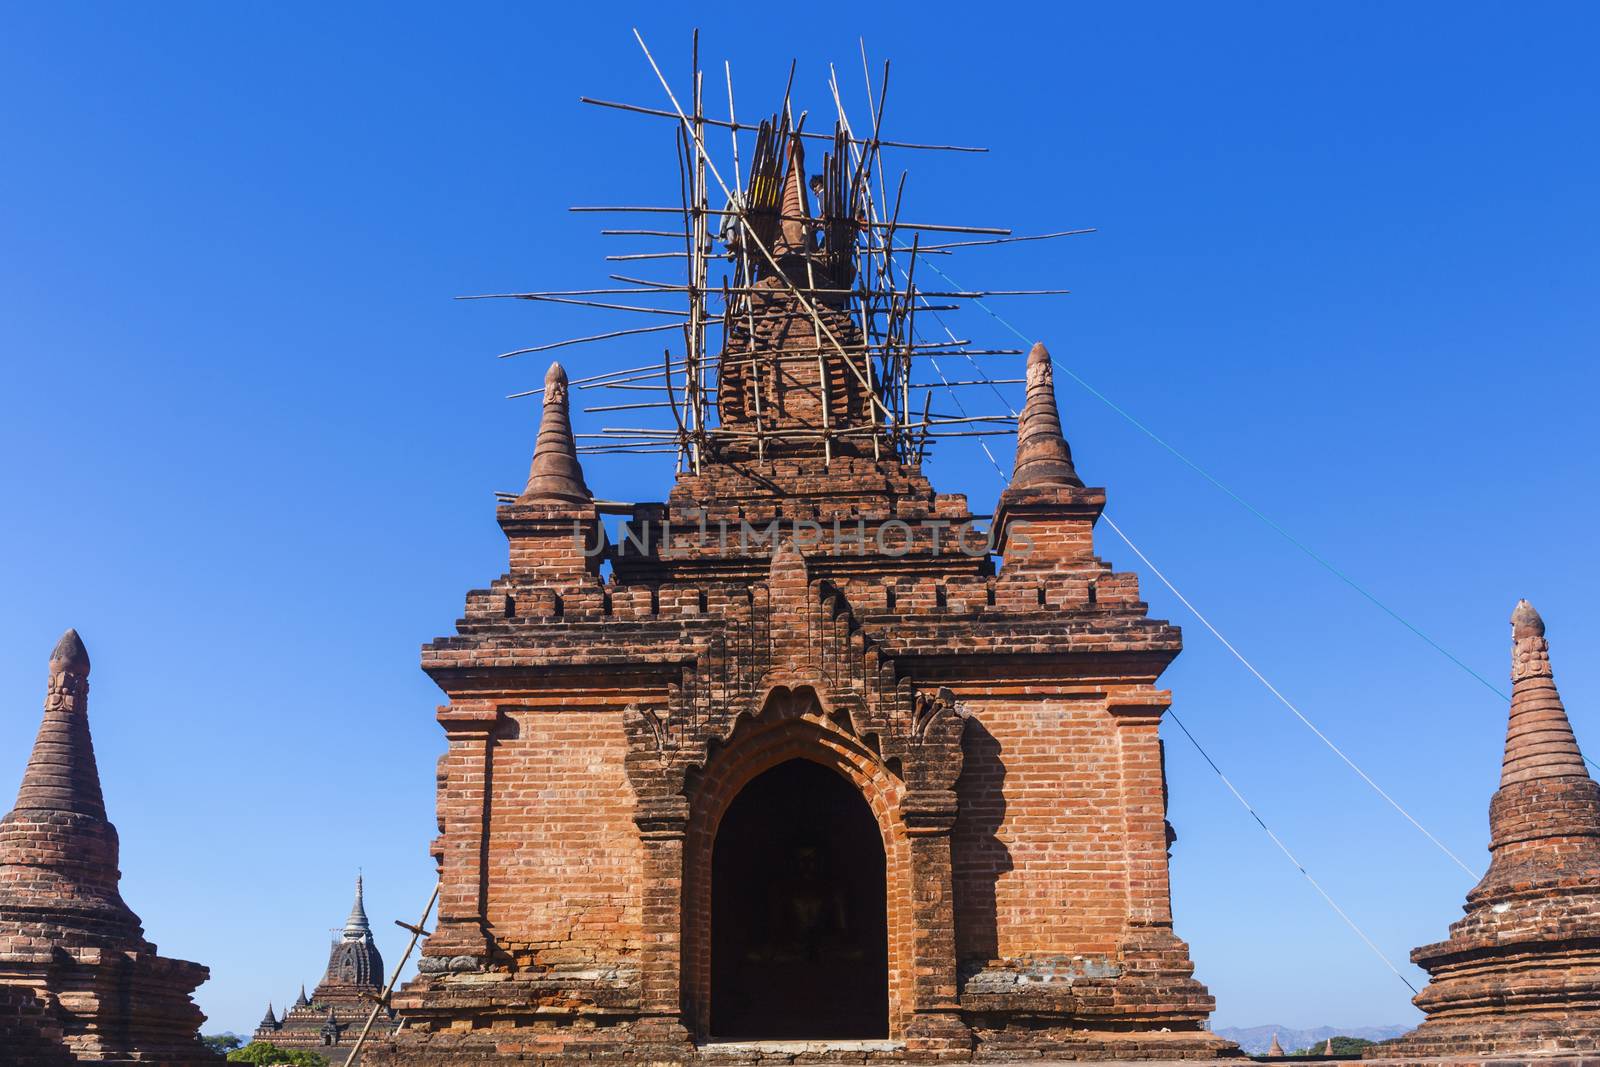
x=62, y=773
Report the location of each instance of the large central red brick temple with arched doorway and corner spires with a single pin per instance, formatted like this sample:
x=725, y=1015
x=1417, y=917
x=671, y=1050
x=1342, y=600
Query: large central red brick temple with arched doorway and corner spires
x=804, y=764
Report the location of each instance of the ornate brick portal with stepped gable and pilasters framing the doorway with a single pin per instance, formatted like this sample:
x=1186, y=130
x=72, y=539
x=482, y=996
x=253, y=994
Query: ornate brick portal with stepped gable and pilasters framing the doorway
x=796, y=677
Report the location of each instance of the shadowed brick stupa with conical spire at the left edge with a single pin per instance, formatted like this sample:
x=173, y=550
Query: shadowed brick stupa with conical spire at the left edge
x=78, y=978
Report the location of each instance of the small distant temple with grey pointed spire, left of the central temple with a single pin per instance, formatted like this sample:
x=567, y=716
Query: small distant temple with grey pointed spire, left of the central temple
x=332, y=1018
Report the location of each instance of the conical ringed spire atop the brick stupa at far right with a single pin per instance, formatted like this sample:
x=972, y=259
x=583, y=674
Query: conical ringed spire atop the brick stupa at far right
x=1540, y=741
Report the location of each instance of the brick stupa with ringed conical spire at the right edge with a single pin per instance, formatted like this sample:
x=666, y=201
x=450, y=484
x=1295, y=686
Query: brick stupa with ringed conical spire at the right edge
x=1521, y=972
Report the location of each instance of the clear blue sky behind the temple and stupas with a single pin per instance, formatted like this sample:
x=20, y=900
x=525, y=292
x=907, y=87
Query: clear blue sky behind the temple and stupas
x=1346, y=260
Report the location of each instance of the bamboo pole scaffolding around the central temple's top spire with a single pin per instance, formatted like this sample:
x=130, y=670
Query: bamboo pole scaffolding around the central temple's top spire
x=849, y=263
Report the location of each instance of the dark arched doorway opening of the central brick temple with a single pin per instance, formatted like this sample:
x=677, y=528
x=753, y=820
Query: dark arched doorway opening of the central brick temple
x=799, y=930
